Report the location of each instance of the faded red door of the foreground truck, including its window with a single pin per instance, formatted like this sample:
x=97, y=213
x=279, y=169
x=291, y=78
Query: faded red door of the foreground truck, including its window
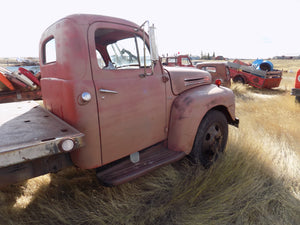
x=131, y=106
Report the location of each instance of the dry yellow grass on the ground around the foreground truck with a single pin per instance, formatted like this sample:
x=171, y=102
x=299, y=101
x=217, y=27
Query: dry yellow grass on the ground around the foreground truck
x=257, y=181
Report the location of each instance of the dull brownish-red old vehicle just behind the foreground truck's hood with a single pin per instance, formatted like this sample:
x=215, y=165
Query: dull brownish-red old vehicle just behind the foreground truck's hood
x=218, y=70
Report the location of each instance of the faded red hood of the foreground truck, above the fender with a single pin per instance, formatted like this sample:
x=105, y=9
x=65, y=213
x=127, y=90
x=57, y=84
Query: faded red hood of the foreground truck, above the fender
x=183, y=78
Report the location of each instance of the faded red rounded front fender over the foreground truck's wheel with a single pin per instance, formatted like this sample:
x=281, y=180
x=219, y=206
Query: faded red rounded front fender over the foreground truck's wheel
x=190, y=107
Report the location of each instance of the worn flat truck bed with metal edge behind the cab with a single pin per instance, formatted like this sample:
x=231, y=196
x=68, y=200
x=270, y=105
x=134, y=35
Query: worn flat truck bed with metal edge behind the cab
x=28, y=132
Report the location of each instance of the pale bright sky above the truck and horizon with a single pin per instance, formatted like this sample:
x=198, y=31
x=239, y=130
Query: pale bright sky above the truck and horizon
x=232, y=28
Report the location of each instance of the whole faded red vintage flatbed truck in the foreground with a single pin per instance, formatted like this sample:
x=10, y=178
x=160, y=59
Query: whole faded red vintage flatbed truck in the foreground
x=111, y=106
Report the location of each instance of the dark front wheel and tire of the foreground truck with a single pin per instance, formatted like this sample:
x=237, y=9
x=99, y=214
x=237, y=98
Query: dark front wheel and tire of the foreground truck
x=211, y=139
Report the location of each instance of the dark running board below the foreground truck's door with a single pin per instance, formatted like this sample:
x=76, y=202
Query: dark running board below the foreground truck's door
x=125, y=170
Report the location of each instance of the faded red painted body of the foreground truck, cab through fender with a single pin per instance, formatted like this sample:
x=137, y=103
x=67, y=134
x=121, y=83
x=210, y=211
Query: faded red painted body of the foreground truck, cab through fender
x=138, y=111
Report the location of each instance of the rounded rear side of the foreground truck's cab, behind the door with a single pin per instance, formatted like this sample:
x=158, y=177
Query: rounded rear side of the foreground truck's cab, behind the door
x=64, y=80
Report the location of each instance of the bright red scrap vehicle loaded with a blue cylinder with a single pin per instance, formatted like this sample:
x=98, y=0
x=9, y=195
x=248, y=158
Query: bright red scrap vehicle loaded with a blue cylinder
x=259, y=74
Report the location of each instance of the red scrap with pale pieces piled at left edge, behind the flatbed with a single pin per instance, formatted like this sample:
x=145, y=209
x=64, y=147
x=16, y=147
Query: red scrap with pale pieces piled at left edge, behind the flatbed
x=19, y=84
